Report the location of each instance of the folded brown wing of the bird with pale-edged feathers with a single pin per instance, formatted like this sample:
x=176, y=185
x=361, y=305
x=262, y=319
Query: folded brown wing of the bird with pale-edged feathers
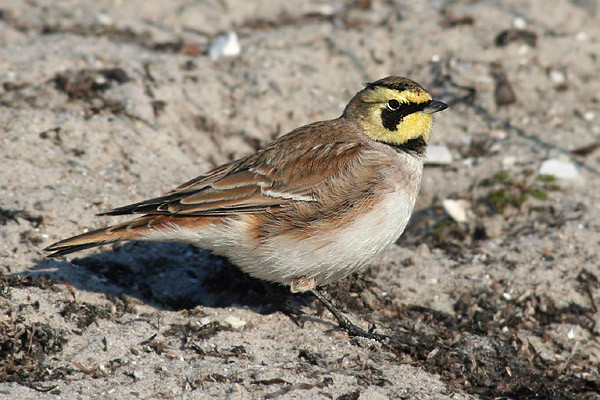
x=264, y=181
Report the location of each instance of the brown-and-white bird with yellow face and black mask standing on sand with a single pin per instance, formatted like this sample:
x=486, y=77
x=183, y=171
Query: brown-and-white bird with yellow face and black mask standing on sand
x=310, y=208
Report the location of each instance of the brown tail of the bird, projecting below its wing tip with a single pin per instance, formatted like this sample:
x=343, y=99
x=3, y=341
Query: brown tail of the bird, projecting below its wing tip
x=126, y=231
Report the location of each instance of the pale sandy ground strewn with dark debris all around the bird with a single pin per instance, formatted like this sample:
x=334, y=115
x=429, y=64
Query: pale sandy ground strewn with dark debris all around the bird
x=105, y=103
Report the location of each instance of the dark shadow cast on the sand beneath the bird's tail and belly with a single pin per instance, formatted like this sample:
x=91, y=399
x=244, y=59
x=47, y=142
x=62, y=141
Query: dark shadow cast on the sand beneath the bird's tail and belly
x=170, y=276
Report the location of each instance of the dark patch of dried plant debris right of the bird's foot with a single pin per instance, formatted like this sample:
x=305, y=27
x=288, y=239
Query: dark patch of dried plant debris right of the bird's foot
x=482, y=349
